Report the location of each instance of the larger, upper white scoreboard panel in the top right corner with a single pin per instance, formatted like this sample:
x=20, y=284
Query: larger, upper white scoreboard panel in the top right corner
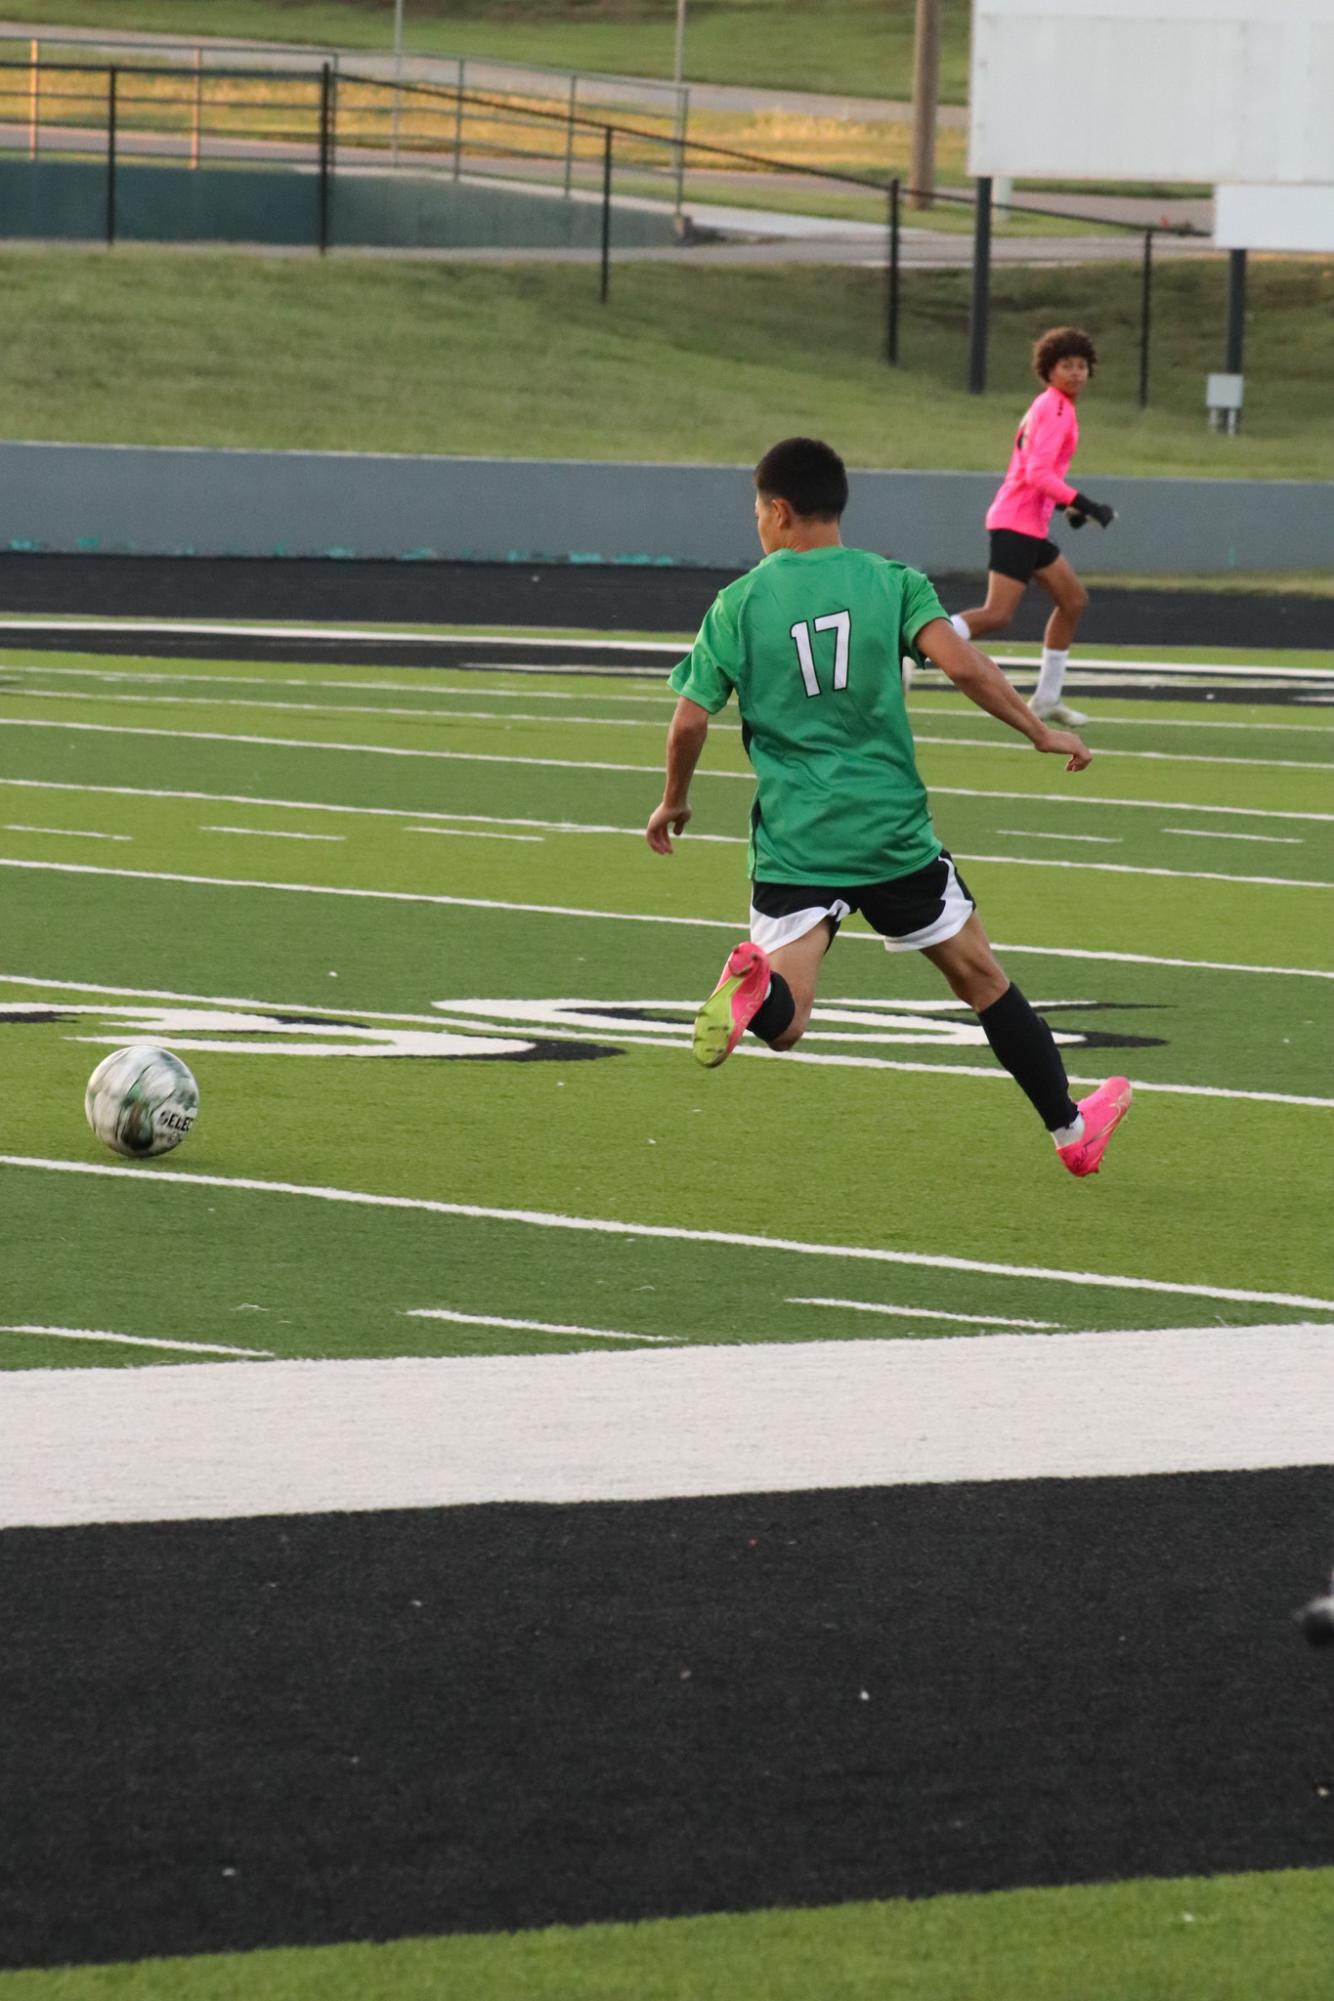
x=1209, y=91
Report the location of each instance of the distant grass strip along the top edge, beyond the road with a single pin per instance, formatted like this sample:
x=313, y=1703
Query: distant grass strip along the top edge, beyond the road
x=863, y=47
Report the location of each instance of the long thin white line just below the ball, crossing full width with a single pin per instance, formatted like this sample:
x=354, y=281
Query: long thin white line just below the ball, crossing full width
x=673, y=1234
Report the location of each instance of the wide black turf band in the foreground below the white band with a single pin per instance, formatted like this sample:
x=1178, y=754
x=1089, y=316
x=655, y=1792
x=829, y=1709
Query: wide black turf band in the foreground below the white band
x=245, y=1734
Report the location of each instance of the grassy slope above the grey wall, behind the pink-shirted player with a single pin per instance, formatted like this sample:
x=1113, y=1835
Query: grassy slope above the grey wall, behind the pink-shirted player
x=681, y=365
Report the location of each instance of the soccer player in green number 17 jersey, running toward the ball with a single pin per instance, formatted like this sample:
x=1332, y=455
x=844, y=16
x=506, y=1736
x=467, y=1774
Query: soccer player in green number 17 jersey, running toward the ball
x=811, y=643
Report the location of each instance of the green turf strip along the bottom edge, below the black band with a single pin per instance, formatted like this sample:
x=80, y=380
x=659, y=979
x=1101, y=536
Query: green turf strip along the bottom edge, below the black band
x=1227, y=1938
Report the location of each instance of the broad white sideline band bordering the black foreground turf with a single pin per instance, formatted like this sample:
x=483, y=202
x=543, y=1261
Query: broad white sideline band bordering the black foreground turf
x=83, y=1446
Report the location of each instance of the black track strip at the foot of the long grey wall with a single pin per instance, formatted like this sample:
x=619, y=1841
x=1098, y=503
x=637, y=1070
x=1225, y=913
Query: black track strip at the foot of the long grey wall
x=599, y=597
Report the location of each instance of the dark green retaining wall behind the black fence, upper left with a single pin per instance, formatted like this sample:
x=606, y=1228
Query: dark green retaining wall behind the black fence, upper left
x=69, y=199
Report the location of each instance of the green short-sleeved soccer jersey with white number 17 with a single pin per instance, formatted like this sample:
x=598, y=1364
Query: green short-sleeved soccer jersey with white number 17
x=813, y=645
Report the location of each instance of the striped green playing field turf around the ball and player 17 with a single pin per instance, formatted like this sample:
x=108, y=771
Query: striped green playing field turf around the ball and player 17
x=505, y=903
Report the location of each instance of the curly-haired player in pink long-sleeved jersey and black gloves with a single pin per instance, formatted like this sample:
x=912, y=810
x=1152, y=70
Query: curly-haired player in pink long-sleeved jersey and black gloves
x=1019, y=517
